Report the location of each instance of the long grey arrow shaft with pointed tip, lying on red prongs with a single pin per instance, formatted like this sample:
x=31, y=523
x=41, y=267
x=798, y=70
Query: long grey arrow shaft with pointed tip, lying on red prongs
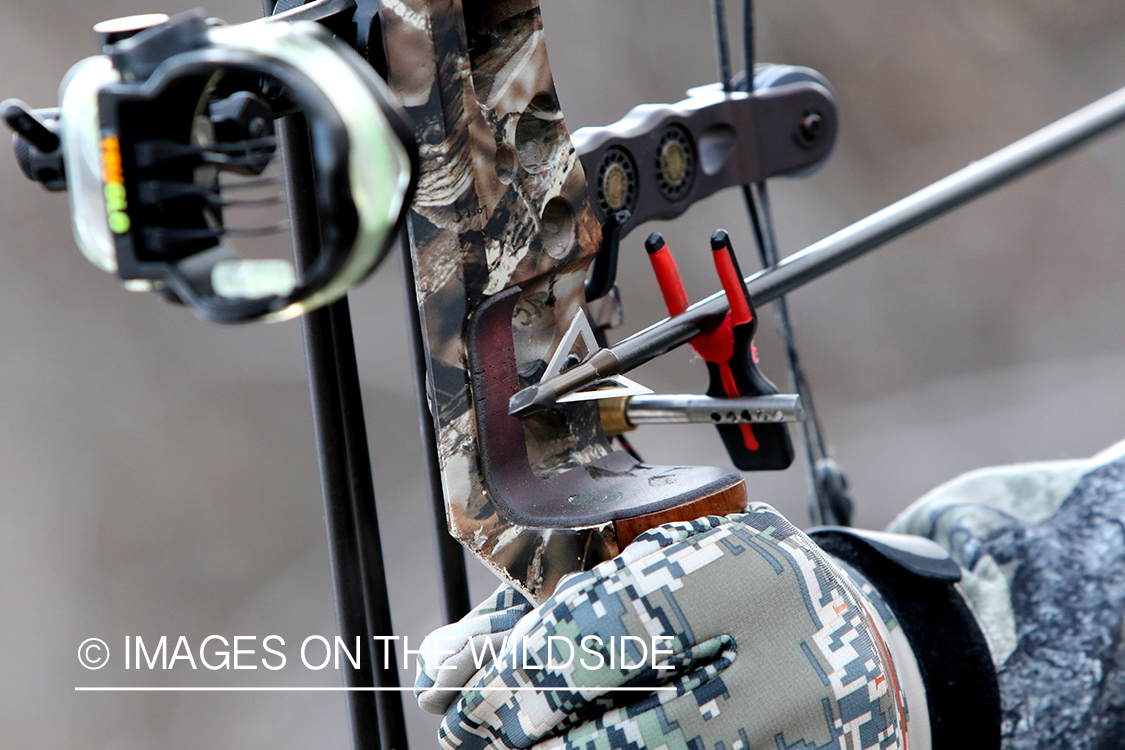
x=942, y=197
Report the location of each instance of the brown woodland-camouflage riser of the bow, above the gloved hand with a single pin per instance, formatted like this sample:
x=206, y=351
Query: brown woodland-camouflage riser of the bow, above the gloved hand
x=501, y=204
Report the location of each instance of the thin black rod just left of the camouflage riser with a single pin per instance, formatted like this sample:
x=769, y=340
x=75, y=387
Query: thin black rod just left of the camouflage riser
x=455, y=579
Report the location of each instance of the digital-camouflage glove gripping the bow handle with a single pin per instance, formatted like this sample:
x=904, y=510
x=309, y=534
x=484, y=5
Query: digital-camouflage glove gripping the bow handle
x=770, y=648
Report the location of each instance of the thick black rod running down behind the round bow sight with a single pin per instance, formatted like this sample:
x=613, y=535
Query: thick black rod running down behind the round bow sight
x=355, y=549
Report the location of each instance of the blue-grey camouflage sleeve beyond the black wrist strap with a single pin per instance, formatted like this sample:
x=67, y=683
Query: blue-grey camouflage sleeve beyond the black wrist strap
x=1046, y=546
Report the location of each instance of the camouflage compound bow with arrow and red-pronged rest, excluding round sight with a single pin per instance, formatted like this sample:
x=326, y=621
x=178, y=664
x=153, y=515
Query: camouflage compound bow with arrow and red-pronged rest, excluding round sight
x=510, y=213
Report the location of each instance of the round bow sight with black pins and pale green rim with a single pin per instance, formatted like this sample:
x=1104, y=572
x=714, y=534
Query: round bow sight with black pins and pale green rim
x=169, y=135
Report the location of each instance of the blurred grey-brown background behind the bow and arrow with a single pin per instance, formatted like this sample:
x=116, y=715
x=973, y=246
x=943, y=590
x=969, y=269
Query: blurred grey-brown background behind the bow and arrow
x=158, y=474
